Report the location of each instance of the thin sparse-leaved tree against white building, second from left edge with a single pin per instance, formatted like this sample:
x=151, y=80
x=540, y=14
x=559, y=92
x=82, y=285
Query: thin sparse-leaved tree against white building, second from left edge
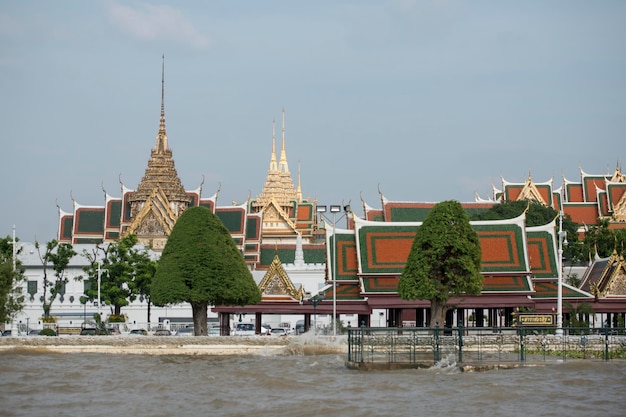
x=59, y=256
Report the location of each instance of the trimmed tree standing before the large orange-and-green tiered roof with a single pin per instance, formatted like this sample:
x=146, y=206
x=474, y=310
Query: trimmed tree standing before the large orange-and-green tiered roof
x=445, y=260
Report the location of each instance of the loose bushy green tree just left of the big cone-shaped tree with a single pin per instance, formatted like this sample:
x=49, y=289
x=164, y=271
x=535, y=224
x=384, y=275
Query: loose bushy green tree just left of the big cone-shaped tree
x=120, y=265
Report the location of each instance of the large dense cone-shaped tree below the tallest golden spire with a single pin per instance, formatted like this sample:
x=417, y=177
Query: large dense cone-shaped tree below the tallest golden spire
x=202, y=265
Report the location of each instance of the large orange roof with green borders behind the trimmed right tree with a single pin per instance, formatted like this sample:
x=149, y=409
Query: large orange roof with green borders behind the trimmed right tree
x=518, y=263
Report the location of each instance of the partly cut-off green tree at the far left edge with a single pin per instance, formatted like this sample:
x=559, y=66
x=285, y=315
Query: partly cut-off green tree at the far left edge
x=11, y=294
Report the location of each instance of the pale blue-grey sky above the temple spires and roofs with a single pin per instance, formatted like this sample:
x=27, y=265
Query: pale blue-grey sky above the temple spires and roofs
x=418, y=100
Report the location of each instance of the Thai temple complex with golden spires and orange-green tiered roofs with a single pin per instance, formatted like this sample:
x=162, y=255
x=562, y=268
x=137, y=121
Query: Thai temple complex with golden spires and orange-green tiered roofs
x=308, y=264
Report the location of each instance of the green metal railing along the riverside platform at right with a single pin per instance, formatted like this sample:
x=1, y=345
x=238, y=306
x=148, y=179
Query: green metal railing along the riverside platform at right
x=419, y=346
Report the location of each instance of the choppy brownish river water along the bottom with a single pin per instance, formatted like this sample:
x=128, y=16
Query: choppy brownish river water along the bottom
x=91, y=384
